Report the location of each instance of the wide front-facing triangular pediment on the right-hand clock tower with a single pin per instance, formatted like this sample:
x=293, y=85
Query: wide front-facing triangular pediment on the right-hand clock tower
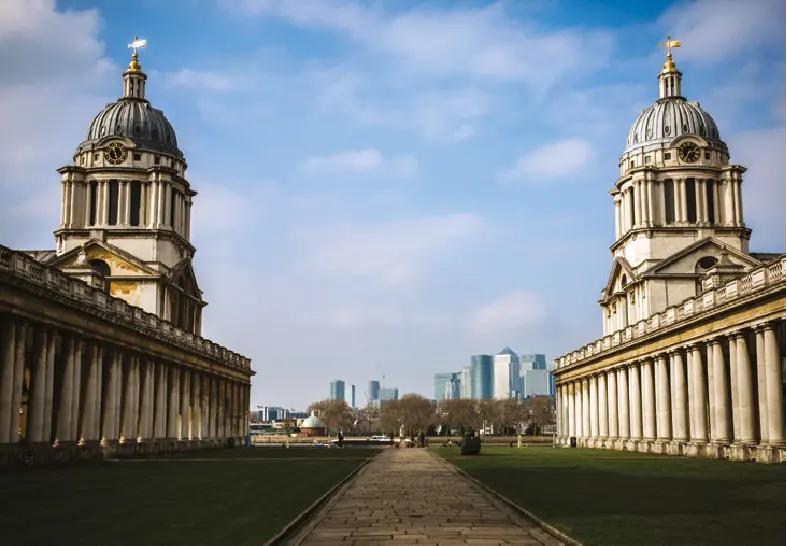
x=687, y=261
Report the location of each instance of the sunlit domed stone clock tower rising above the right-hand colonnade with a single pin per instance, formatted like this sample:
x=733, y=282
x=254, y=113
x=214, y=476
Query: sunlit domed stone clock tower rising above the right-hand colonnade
x=678, y=207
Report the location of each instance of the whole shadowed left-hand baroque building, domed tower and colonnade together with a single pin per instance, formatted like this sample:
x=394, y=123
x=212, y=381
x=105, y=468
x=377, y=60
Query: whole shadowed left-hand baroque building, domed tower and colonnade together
x=100, y=339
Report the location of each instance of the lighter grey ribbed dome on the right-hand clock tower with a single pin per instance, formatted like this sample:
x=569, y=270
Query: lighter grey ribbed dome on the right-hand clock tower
x=670, y=118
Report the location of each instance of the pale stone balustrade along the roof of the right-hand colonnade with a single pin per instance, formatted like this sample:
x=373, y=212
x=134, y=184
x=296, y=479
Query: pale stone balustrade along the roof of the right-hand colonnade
x=759, y=279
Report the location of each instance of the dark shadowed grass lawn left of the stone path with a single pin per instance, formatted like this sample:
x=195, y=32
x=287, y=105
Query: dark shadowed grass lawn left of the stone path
x=236, y=497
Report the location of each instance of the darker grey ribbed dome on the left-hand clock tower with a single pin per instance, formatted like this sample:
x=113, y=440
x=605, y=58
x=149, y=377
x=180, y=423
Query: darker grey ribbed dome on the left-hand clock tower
x=135, y=119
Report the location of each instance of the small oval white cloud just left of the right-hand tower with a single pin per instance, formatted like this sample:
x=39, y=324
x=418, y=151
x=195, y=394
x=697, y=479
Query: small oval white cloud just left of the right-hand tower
x=554, y=160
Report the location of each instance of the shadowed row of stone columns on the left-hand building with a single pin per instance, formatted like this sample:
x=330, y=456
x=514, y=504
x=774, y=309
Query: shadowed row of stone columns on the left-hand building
x=59, y=389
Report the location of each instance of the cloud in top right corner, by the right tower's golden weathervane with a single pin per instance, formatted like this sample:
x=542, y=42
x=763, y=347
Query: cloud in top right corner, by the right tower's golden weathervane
x=713, y=30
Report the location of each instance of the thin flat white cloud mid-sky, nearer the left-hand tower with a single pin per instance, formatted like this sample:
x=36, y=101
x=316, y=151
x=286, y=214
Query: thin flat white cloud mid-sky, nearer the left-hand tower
x=359, y=161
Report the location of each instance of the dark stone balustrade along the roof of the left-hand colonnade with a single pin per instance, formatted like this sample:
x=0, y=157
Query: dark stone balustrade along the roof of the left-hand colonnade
x=21, y=265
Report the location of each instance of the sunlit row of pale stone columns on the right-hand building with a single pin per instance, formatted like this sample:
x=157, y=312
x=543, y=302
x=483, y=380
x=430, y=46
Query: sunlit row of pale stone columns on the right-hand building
x=721, y=396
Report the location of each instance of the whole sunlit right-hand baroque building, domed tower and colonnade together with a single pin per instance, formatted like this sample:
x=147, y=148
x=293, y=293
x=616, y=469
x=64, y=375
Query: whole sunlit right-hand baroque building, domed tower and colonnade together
x=692, y=361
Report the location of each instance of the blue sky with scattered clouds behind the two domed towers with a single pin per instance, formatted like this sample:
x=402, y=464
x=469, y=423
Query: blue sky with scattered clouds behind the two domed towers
x=388, y=187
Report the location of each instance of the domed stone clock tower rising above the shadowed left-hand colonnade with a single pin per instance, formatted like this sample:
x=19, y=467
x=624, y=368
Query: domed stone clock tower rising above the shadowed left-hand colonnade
x=126, y=207
